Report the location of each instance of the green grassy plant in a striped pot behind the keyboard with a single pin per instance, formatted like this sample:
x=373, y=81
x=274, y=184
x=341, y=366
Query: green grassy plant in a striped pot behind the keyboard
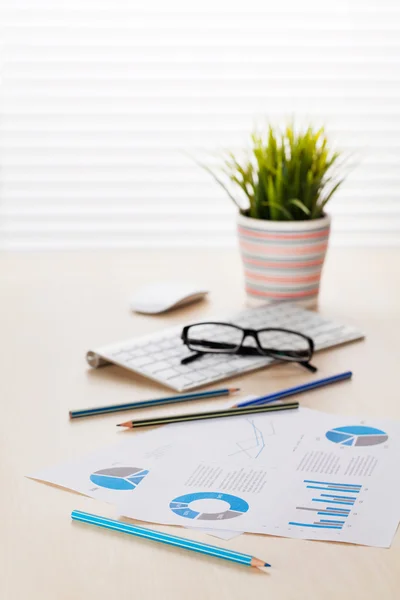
x=281, y=188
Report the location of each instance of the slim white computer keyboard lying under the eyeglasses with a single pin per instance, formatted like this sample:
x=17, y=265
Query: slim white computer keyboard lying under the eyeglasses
x=158, y=355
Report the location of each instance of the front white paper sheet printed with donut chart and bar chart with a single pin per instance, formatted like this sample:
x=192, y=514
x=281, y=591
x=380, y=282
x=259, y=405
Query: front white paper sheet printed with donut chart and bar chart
x=339, y=482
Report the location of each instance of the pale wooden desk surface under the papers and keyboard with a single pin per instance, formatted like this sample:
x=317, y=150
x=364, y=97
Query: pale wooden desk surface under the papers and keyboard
x=54, y=307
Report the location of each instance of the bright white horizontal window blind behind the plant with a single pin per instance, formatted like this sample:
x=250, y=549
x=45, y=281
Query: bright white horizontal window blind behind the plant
x=102, y=101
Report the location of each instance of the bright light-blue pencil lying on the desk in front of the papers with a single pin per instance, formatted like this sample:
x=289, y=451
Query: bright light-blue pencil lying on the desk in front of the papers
x=172, y=540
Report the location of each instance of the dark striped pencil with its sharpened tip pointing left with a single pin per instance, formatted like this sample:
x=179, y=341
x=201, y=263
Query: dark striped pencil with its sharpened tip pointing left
x=227, y=412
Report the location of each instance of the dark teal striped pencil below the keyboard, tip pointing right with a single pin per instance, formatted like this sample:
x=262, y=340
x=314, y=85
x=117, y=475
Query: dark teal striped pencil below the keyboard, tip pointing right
x=101, y=410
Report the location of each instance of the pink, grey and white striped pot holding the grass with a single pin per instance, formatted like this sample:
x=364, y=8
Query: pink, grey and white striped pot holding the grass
x=283, y=260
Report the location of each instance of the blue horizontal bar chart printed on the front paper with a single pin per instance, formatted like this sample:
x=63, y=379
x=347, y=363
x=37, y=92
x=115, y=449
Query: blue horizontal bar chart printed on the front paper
x=329, y=505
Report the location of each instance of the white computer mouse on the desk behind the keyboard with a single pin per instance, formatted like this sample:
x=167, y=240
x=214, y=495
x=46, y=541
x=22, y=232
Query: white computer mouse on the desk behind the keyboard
x=162, y=296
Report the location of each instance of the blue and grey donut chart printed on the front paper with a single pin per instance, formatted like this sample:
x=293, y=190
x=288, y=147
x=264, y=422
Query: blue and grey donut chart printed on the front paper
x=181, y=506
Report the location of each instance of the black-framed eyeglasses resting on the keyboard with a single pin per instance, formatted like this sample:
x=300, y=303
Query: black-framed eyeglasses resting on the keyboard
x=225, y=338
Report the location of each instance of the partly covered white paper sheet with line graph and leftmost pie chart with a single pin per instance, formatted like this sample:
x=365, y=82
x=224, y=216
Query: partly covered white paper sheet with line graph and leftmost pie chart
x=112, y=474
